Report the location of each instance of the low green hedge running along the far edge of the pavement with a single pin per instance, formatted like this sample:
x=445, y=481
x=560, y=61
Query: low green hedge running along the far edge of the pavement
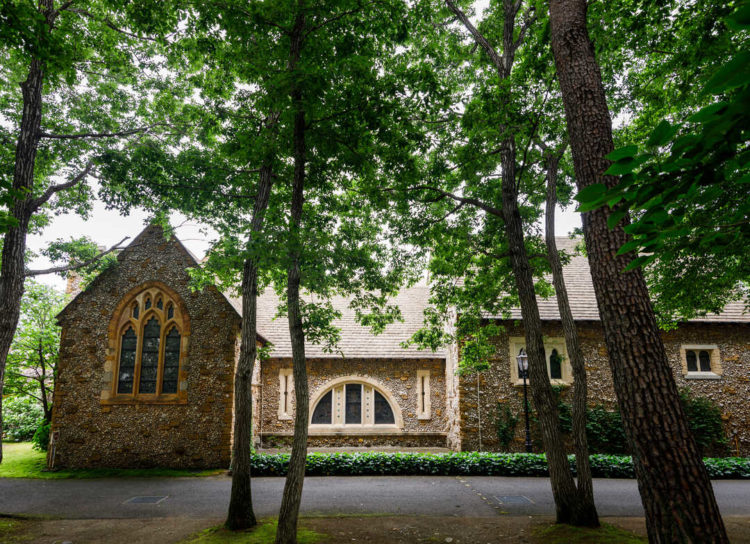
x=470, y=464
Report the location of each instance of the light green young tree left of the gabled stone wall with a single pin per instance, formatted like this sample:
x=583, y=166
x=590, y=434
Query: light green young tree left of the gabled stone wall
x=32, y=360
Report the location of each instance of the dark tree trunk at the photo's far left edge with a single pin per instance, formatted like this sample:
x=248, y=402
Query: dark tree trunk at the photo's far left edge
x=14, y=244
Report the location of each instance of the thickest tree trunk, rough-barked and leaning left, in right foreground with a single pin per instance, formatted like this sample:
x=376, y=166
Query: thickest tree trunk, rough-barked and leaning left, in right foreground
x=675, y=488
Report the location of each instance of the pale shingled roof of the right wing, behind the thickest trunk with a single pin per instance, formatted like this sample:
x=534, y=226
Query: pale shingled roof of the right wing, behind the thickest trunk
x=583, y=300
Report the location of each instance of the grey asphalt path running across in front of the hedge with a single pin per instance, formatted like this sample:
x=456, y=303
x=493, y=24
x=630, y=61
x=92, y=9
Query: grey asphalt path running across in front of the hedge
x=465, y=496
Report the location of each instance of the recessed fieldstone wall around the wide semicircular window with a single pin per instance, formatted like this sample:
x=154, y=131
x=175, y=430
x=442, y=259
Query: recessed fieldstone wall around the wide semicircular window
x=398, y=377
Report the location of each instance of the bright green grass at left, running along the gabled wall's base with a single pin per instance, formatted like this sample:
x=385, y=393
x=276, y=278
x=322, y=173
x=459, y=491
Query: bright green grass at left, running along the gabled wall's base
x=21, y=461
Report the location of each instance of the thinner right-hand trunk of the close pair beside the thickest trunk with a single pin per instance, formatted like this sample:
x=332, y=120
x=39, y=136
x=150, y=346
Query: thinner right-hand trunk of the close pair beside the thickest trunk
x=585, y=485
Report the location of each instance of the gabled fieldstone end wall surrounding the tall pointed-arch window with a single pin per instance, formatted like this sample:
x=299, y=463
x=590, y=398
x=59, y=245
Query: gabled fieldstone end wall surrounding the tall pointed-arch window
x=94, y=431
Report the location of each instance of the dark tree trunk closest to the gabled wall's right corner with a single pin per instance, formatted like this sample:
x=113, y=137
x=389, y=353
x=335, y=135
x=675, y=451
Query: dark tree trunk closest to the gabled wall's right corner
x=241, y=515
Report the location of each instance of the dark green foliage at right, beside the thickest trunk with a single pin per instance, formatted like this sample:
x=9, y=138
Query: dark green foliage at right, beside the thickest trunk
x=685, y=190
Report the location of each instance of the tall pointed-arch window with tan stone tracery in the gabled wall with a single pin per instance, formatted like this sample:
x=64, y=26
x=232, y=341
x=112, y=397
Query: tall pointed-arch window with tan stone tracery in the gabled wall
x=150, y=330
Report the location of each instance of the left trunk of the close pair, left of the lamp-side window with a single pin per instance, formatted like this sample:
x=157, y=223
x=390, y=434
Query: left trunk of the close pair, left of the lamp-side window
x=561, y=478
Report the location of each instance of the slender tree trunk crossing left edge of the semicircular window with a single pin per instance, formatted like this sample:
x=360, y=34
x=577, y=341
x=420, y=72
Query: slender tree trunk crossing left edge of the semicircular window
x=290, y=503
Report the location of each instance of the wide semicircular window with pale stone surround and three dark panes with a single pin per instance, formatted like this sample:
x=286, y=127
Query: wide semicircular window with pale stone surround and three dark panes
x=354, y=402
